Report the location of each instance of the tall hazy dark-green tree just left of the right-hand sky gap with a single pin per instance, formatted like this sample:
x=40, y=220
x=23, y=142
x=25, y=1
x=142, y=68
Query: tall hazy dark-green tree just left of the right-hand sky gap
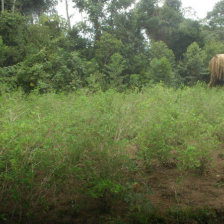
x=167, y=23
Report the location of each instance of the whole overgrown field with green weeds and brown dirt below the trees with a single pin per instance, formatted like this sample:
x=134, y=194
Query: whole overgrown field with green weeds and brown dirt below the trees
x=109, y=157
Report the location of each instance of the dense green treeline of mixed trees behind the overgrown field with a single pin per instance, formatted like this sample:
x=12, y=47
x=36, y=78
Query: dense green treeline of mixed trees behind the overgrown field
x=122, y=44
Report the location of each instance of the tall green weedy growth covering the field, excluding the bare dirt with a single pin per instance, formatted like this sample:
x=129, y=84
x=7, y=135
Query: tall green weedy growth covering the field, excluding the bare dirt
x=82, y=150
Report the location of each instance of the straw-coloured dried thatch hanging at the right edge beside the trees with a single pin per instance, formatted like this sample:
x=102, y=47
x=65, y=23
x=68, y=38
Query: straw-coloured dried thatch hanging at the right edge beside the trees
x=216, y=68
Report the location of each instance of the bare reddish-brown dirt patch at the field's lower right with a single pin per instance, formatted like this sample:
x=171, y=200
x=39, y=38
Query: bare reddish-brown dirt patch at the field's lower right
x=171, y=187
